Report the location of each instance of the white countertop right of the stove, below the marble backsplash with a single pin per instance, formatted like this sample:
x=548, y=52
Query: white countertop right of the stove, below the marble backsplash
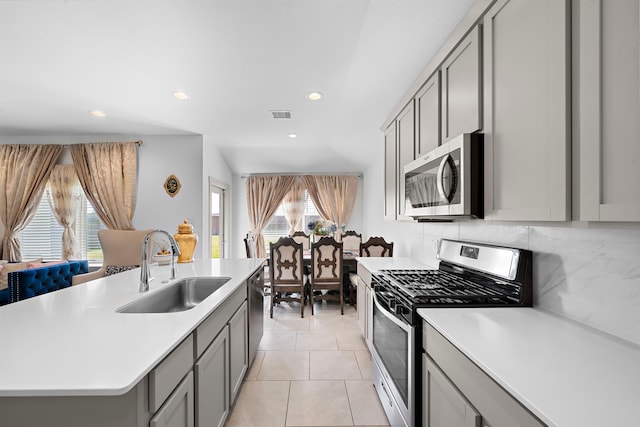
x=565, y=373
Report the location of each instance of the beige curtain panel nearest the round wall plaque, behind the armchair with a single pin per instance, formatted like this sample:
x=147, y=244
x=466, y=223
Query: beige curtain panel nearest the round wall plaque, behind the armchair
x=108, y=173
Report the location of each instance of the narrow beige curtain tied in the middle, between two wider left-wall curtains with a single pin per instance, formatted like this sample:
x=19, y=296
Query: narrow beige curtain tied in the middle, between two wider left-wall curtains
x=64, y=193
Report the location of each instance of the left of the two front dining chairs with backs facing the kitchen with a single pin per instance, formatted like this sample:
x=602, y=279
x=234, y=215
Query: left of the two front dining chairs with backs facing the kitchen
x=287, y=273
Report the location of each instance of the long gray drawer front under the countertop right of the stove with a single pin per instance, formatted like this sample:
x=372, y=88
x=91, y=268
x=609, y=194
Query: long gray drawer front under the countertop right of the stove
x=490, y=399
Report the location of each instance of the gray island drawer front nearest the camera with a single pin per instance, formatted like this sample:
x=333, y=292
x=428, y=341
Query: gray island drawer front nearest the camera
x=166, y=376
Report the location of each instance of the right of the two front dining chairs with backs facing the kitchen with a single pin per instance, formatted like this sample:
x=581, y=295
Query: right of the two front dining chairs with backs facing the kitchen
x=326, y=271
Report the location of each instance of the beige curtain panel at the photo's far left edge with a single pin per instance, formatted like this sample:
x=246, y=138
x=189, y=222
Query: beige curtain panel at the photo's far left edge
x=24, y=171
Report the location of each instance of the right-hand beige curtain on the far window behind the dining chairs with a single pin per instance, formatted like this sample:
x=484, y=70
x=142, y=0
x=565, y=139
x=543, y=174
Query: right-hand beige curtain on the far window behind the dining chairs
x=333, y=195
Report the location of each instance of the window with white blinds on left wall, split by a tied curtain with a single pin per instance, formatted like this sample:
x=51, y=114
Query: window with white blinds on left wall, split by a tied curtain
x=42, y=237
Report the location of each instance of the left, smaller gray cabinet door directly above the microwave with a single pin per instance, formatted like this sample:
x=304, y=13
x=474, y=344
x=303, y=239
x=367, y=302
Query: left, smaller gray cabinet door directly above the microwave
x=427, y=106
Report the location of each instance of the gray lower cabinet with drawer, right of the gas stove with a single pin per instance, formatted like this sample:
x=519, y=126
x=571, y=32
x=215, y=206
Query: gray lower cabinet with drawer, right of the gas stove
x=458, y=393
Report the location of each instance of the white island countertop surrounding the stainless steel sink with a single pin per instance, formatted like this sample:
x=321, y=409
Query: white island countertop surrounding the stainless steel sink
x=72, y=342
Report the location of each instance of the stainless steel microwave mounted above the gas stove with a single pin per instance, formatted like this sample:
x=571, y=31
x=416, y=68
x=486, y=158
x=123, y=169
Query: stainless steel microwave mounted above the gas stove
x=446, y=183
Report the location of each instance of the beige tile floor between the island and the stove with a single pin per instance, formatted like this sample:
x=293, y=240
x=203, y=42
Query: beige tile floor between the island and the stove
x=314, y=371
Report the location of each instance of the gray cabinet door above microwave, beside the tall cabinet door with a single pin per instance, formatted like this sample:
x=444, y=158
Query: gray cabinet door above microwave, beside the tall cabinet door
x=461, y=88
